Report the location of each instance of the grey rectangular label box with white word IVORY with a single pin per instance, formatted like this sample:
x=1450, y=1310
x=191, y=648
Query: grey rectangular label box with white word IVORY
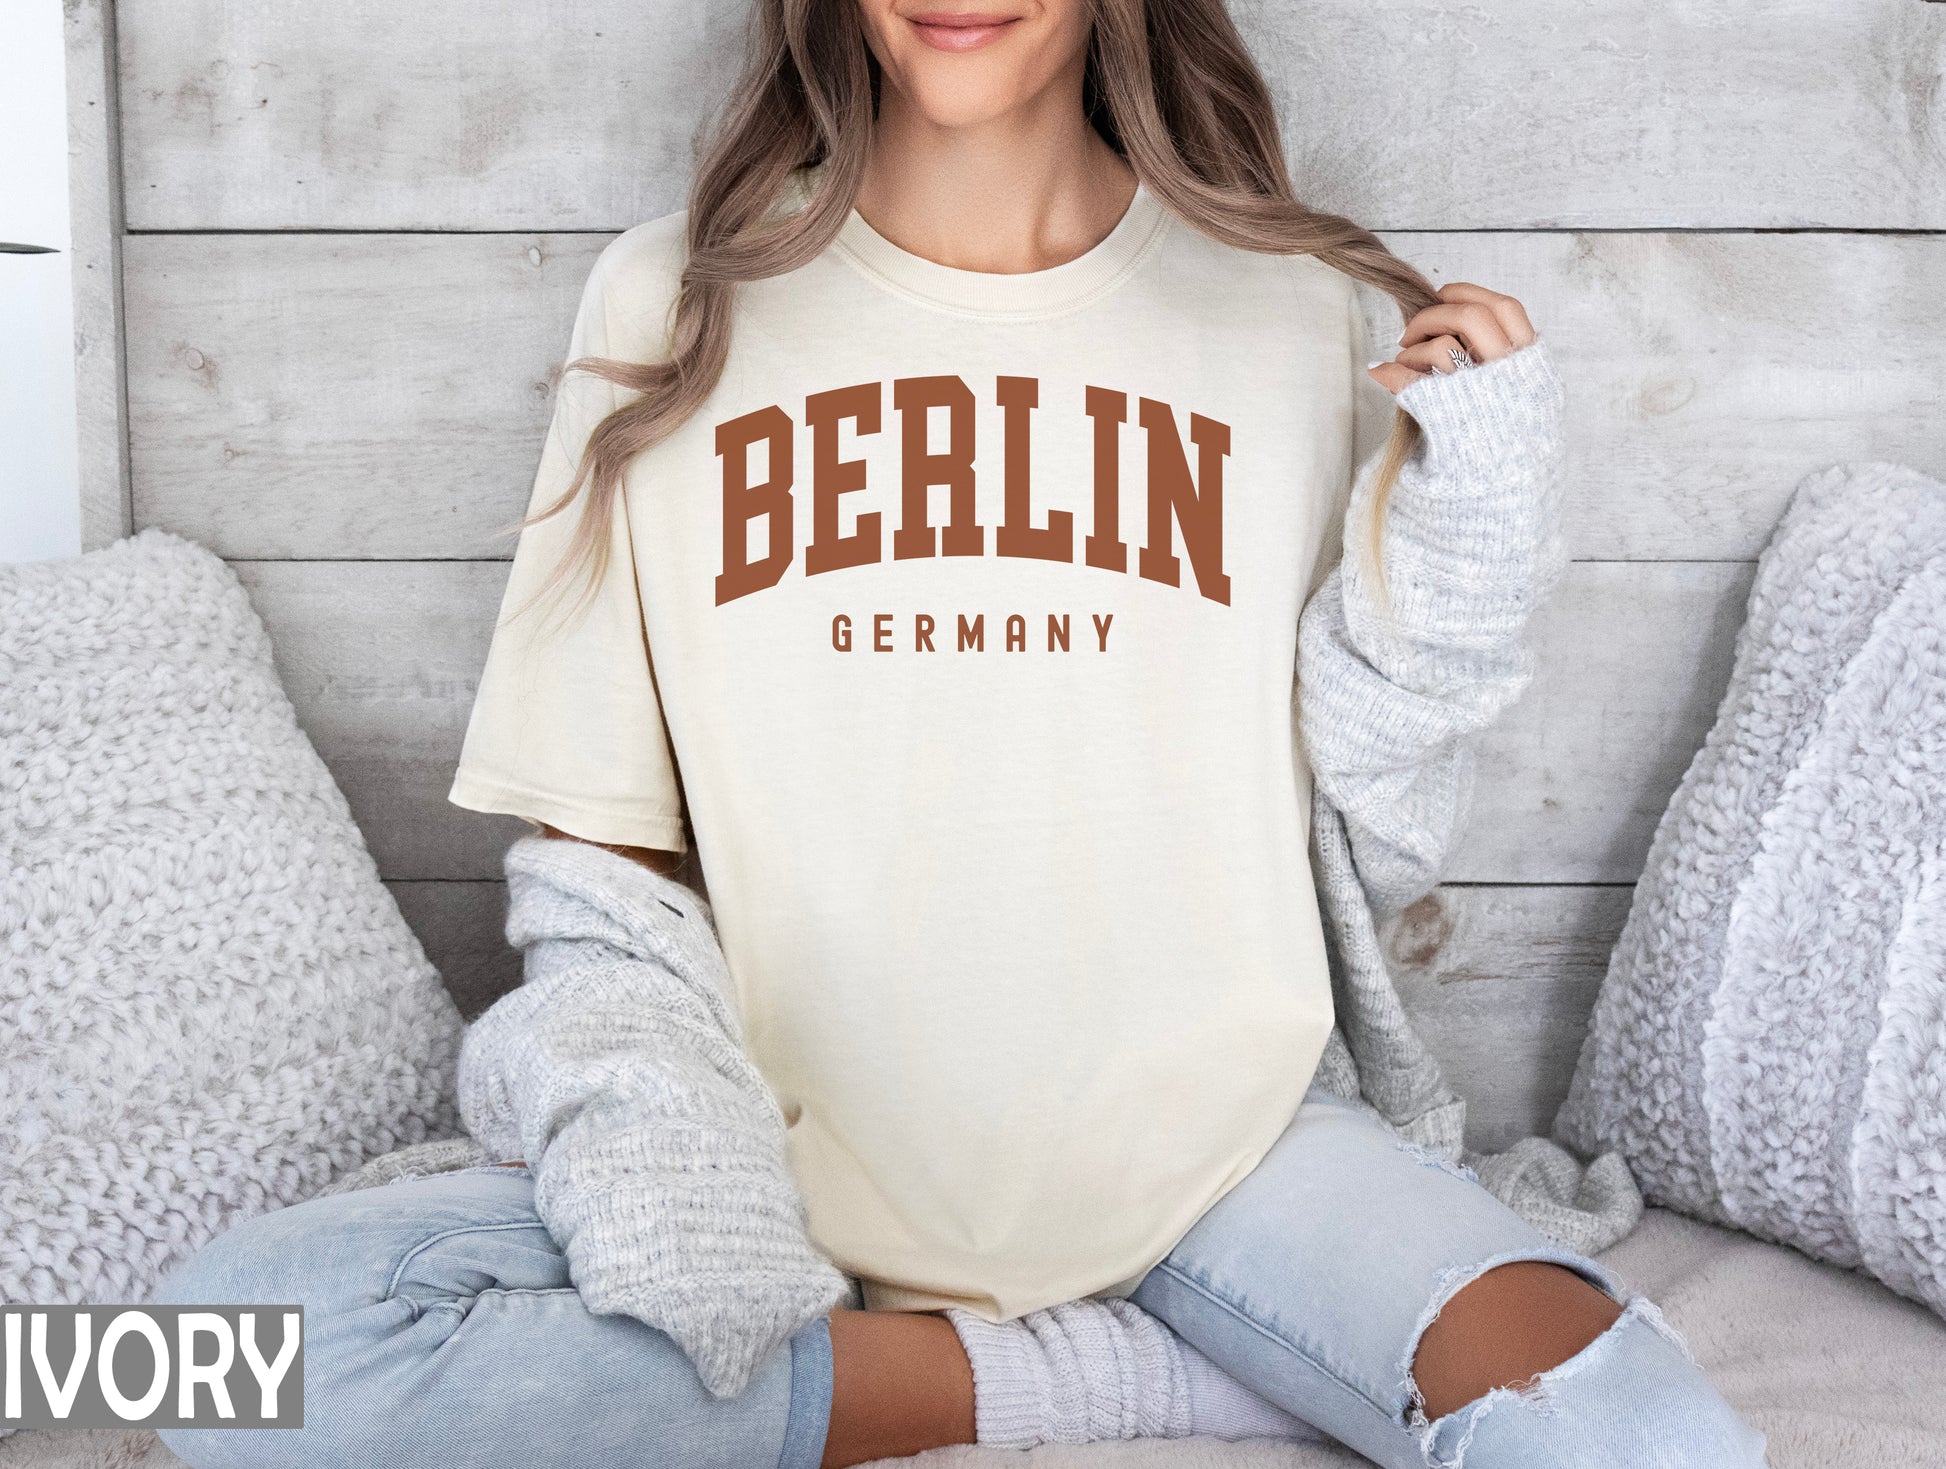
x=151, y=1367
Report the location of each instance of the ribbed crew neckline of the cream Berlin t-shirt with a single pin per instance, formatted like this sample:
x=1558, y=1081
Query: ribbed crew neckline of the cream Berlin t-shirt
x=995, y=295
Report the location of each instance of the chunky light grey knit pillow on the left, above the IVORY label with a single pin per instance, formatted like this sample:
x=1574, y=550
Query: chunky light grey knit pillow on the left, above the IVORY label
x=209, y=1003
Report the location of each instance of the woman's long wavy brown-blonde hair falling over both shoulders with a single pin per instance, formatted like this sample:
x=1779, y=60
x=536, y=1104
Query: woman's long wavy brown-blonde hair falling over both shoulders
x=1169, y=87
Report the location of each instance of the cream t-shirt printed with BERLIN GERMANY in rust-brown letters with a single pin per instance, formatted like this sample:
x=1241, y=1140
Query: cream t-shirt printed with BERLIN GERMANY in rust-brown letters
x=962, y=624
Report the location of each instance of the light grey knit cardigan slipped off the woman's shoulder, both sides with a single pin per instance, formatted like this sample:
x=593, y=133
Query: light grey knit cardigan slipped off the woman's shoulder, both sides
x=618, y=1069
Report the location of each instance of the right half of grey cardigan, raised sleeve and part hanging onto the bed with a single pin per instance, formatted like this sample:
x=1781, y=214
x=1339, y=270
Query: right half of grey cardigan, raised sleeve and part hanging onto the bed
x=1392, y=688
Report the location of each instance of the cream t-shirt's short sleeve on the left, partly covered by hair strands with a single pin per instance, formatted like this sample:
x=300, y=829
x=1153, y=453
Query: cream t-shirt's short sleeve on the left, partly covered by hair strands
x=567, y=727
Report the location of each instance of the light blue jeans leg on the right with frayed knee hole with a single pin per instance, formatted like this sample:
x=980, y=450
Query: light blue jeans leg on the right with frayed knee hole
x=1316, y=1275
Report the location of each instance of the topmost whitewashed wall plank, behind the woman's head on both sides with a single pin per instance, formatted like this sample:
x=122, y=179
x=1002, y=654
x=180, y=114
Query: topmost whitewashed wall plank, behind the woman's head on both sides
x=505, y=116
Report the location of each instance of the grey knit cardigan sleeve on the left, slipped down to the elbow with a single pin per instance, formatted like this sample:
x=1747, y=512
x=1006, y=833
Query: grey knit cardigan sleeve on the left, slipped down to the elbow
x=620, y=1075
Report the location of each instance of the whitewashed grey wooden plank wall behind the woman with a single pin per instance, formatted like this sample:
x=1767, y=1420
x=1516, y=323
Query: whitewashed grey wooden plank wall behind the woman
x=357, y=234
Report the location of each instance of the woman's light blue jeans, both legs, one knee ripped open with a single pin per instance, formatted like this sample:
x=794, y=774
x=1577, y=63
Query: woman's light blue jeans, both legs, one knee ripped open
x=443, y=1330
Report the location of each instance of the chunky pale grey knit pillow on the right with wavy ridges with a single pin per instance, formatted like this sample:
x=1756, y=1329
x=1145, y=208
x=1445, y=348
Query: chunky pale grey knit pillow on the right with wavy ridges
x=1770, y=1044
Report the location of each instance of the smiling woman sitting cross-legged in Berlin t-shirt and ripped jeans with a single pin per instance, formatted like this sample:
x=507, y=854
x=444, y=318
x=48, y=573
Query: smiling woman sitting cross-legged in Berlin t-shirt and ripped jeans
x=970, y=450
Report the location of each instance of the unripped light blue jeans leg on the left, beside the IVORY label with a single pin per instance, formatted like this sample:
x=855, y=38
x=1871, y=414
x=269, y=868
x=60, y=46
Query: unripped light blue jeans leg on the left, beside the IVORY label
x=443, y=1330
